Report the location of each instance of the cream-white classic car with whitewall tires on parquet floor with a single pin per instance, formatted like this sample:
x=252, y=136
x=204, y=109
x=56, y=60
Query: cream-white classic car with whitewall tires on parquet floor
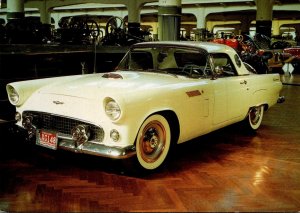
x=162, y=93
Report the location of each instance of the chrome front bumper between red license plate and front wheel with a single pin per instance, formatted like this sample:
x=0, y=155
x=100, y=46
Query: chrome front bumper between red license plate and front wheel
x=98, y=149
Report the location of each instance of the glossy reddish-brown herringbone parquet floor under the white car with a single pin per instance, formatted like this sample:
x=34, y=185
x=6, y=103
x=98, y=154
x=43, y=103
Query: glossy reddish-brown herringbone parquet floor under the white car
x=227, y=170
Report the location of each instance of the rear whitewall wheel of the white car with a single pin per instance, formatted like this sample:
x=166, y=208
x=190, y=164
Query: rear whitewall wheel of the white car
x=255, y=117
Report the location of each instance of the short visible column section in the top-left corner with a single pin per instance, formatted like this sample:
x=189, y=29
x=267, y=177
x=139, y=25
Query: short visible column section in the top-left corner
x=15, y=10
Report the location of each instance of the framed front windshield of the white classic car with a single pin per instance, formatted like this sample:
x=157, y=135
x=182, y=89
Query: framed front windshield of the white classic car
x=171, y=60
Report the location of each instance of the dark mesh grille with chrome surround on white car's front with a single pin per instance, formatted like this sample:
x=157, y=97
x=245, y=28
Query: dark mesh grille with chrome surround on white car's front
x=62, y=125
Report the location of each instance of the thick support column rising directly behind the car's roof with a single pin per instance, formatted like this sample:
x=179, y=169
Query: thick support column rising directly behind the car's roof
x=169, y=14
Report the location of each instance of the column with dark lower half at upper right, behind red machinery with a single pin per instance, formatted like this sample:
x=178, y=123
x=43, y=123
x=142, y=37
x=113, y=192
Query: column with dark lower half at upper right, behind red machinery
x=264, y=16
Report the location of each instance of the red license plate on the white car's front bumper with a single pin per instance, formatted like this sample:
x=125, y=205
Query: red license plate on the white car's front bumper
x=47, y=139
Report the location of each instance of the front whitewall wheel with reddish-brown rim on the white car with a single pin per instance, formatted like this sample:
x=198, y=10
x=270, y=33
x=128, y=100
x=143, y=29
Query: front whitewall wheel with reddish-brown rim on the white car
x=153, y=142
